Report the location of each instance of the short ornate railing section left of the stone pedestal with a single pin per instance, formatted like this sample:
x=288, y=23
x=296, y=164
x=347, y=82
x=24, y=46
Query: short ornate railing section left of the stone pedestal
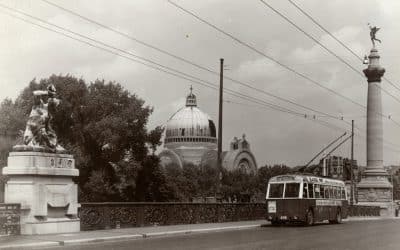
x=10, y=219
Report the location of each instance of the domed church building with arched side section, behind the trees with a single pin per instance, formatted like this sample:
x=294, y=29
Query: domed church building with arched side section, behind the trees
x=190, y=137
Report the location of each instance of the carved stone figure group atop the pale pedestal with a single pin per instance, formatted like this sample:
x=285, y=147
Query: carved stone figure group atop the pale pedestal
x=39, y=134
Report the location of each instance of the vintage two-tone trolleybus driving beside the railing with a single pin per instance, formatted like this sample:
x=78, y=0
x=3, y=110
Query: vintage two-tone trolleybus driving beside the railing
x=307, y=199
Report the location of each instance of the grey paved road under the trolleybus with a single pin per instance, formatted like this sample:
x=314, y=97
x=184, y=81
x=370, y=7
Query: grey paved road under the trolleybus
x=373, y=235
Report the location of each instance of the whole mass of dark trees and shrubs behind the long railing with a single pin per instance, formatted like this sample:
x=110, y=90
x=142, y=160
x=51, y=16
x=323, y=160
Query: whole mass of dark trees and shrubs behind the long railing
x=104, y=127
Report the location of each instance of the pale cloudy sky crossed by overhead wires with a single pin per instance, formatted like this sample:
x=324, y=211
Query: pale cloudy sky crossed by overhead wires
x=28, y=52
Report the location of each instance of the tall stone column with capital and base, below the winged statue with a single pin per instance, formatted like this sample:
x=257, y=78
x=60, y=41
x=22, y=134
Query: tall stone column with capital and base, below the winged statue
x=375, y=188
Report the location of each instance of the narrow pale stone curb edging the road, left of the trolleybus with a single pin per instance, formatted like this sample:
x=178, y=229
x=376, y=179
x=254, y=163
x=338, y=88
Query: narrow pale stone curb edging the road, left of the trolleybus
x=123, y=237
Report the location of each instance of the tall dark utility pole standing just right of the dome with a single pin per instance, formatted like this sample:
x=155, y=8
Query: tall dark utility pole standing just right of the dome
x=221, y=90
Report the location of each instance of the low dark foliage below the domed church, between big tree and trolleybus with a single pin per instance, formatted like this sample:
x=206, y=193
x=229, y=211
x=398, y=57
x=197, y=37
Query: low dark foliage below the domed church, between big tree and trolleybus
x=196, y=183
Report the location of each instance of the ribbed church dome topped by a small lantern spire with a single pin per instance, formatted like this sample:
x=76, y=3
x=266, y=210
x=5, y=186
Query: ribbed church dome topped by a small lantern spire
x=190, y=126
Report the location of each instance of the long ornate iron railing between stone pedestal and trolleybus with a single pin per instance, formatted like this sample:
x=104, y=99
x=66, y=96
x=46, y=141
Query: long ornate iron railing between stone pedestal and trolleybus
x=134, y=214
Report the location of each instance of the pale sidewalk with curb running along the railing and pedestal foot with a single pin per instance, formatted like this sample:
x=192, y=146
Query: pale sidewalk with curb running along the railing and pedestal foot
x=40, y=241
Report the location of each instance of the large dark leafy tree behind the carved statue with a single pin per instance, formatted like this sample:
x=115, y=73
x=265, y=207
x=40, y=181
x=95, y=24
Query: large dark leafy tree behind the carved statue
x=104, y=127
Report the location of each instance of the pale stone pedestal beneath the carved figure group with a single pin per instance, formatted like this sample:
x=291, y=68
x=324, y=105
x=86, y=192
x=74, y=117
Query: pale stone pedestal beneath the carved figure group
x=42, y=184
